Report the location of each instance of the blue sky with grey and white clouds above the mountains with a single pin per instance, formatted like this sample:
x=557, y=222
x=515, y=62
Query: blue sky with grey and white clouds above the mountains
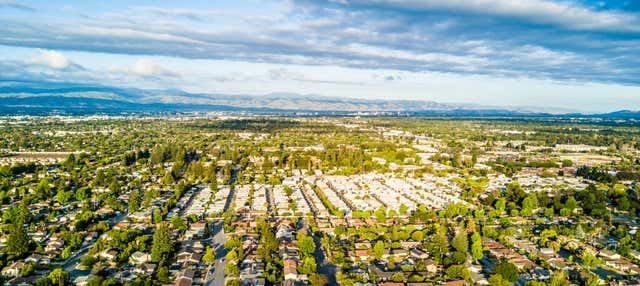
x=574, y=54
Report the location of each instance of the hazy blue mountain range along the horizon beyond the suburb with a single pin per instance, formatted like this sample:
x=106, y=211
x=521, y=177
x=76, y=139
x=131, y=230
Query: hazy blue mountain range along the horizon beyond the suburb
x=45, y=97
